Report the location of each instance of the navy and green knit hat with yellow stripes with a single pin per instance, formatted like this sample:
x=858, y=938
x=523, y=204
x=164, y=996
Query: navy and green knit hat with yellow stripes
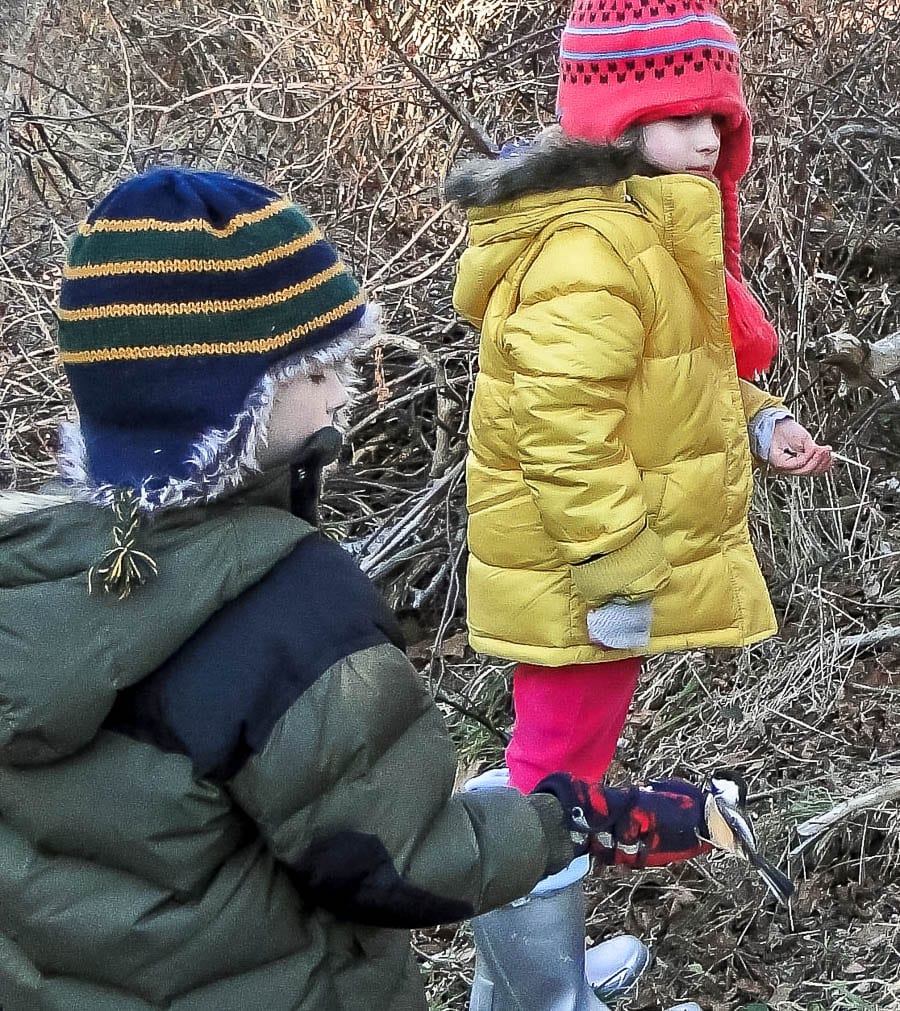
x=181, y=292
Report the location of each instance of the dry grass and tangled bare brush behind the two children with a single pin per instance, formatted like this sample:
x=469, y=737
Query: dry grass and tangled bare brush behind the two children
x=320, y=101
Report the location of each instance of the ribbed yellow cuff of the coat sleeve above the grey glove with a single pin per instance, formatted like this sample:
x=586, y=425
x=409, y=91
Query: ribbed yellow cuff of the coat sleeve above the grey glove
x=634, y=573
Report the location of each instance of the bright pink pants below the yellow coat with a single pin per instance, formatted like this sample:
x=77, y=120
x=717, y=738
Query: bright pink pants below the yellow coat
x=569, y=719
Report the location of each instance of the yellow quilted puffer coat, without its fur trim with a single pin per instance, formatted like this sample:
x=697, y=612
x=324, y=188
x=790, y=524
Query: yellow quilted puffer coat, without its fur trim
x=609, y=453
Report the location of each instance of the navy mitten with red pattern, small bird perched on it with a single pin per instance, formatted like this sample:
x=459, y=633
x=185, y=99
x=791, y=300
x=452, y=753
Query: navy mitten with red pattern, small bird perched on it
x=649, y=826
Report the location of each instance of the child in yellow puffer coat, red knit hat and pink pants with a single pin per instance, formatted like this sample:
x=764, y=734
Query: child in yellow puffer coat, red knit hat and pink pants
x=614, y=423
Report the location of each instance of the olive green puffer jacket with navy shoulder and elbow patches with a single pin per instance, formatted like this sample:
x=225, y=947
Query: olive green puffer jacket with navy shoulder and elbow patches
x=231, y=790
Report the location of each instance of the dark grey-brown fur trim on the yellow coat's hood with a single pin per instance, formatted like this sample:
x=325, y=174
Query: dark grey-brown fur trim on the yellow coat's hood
x=550, y=163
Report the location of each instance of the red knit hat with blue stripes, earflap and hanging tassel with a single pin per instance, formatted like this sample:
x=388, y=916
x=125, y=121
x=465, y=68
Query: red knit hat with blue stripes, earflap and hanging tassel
x=626, y=63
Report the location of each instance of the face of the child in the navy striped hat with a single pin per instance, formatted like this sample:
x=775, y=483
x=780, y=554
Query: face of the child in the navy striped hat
x=302, y=408
